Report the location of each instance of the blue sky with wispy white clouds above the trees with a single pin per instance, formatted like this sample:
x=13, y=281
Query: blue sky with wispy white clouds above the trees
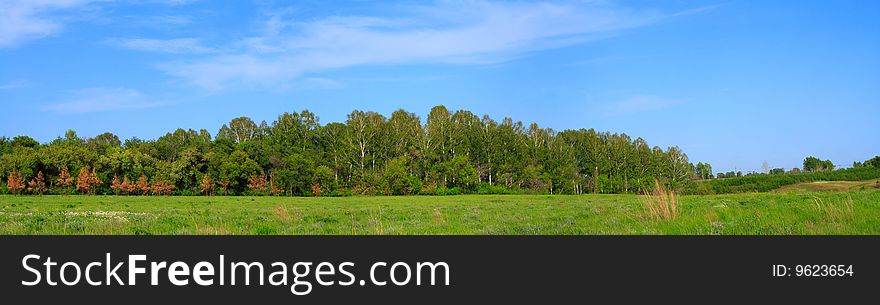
x=733, y=83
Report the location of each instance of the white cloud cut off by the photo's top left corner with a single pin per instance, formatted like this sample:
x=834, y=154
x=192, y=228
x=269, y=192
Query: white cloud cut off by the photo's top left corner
x=23, y=20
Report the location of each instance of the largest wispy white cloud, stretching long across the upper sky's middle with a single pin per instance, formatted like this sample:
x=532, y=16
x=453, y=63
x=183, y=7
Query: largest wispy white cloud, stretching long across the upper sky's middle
x=456, y=32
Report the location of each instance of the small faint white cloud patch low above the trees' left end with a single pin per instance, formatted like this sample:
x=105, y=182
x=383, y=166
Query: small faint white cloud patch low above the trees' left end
x=102, y=99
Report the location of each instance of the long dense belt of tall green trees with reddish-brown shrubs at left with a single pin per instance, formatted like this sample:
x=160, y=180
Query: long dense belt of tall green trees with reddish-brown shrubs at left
x=368, y=154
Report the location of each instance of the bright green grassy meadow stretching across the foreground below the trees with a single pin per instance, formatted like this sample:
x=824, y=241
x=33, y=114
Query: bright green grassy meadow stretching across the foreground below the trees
x=852, y=212
